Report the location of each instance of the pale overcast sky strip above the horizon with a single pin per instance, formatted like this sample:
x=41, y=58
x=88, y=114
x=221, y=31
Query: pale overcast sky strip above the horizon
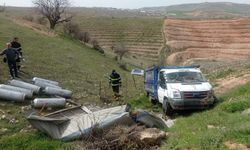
x=130, y=4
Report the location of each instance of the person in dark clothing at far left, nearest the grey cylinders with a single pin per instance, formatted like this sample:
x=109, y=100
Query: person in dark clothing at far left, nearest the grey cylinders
x=11, y=55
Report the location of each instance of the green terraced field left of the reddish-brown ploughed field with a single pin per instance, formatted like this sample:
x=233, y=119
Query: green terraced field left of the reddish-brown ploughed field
x=142, y=37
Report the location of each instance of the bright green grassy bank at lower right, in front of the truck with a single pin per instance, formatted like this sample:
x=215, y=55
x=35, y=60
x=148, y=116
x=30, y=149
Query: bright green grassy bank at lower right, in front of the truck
x=191, y=130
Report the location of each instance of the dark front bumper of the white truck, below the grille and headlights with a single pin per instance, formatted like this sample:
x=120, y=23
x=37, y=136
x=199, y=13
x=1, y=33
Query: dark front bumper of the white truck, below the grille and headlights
x=182, y=104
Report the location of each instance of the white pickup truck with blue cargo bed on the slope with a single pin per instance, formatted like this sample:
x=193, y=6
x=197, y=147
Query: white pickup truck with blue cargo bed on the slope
x=178, y=87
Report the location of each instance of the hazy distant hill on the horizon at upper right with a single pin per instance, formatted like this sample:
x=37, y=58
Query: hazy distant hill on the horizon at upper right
x=201, y=10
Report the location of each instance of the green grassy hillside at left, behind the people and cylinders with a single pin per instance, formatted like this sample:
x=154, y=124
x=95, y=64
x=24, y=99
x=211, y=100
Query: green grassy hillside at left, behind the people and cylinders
x=43, y=53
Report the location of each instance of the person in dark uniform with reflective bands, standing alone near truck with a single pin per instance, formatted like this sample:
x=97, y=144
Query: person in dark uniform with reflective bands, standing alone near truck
x=115, y=82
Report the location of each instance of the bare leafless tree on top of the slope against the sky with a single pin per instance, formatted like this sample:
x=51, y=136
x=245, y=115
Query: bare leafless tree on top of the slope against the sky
x=53, y=10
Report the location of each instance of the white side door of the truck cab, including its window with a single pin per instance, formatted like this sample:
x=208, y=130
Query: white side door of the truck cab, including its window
x=162, y=87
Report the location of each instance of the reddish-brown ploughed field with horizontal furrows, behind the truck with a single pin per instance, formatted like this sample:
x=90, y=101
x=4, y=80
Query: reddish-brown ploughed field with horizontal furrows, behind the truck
x=210, y=39
